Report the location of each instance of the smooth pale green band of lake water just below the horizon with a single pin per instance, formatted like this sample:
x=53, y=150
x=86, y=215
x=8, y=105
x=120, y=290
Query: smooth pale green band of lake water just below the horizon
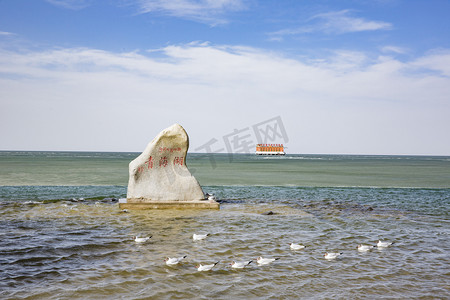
x=88, y=168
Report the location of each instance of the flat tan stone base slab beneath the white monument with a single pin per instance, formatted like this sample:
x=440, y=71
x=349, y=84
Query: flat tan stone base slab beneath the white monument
x=139, y=205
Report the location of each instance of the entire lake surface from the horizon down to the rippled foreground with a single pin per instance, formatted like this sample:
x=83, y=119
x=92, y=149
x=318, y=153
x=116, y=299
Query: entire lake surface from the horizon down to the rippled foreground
x=62, y=235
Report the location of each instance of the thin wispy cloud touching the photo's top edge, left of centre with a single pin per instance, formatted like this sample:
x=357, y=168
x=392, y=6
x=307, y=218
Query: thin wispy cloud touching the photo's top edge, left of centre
x=207, y=11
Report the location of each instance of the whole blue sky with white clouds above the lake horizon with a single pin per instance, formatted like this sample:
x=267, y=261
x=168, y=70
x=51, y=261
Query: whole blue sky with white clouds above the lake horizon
x=320, y=76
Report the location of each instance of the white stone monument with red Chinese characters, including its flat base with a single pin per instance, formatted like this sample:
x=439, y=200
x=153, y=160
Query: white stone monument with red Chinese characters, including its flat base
x=159, y=177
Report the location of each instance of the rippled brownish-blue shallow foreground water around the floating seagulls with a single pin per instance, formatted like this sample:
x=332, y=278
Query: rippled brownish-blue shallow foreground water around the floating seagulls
x=66, y=249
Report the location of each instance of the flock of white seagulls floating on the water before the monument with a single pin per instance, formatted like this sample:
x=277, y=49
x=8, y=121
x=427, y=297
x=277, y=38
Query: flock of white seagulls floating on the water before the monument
x=170, y=261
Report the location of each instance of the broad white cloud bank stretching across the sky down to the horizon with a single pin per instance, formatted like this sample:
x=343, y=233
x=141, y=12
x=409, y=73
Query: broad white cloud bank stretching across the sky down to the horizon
x=88, y=99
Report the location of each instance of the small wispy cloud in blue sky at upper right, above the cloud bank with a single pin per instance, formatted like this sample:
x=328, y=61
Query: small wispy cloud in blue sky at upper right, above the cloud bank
x=338, y=22
